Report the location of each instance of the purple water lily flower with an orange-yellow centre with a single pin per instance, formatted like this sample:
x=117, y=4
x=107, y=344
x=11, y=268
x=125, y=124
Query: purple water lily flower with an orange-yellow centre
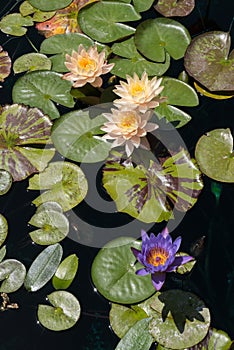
x=158, y=255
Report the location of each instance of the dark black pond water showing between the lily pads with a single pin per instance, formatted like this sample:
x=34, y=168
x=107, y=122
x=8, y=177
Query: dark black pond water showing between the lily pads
x=213, y=276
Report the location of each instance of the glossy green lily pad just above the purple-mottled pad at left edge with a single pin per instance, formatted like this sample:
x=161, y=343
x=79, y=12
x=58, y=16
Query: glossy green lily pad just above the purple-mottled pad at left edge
x=39, y=89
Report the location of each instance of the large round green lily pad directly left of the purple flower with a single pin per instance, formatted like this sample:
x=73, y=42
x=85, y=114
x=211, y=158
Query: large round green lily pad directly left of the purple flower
x=114, y=273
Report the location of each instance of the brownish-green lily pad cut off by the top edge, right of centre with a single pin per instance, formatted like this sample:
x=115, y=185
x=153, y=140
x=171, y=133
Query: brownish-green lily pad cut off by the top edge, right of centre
x=172, y=8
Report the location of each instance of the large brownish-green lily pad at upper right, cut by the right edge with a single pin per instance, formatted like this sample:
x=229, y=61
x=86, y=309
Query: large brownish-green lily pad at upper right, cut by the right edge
x=207, y=61
